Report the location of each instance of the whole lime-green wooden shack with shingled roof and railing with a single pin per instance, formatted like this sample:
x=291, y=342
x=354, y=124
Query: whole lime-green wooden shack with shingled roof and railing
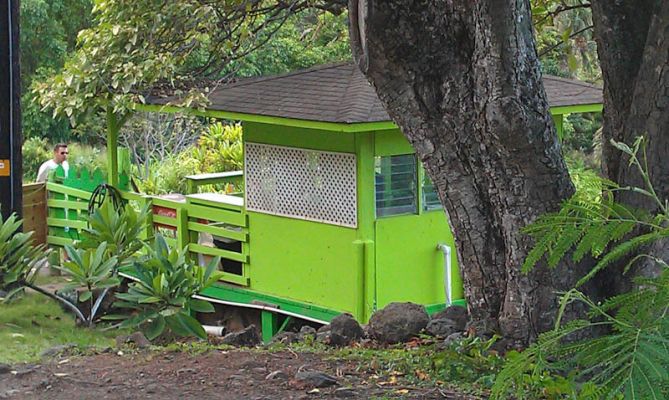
x=337, y=214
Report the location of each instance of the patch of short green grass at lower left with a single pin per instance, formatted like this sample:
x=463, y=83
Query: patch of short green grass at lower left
x=33, y=323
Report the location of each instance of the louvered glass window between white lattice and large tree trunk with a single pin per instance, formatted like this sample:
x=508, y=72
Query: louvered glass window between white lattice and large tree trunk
x=395, y=185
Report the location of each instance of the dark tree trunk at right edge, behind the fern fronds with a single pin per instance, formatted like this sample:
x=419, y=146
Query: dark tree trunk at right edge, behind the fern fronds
x=633, y=45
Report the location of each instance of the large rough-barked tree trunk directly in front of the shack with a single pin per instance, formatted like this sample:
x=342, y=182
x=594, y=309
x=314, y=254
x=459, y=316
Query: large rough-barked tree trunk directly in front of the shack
x=462, y=80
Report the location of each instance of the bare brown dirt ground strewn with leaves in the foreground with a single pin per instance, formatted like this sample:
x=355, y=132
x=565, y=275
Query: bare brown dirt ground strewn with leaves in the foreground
x=216, y=374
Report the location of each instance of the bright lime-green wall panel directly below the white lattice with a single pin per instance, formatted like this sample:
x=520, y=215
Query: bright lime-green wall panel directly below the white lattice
x=303, y=260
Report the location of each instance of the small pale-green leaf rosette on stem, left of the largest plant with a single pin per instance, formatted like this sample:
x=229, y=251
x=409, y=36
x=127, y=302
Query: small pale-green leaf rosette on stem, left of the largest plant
x=93, y=271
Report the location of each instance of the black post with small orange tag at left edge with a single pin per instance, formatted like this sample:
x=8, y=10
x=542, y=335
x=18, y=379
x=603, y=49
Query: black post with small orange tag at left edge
x=11, y=198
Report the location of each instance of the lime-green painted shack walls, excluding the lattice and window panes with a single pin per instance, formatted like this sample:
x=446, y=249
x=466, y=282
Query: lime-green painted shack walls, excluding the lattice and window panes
x=354, y=270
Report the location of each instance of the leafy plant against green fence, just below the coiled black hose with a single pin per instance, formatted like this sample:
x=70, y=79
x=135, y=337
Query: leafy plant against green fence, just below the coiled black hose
x=120, y=230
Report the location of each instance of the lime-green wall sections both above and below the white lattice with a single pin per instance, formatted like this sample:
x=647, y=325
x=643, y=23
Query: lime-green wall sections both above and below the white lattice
x=304, y=260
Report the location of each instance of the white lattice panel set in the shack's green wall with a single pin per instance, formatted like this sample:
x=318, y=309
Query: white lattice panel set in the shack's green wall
x=300, y=183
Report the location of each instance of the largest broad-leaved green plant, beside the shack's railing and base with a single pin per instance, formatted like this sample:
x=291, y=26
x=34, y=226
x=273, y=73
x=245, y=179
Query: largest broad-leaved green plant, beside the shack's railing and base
x=162, y=294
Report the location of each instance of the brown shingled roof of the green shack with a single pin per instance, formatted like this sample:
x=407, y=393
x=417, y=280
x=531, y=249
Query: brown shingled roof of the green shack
x=339, y=93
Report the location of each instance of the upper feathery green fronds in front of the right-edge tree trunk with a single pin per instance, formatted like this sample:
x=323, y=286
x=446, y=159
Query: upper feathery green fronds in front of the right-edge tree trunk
x=590, y=225
